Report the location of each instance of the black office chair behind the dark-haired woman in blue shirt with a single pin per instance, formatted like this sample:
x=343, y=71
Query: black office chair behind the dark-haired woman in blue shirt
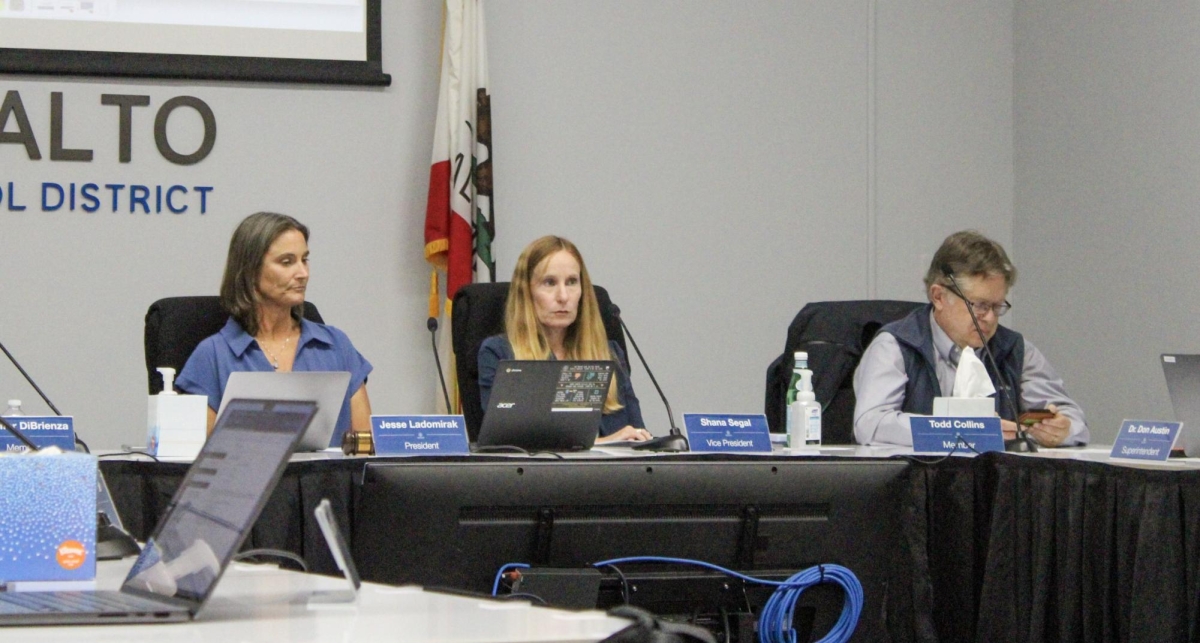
x=177, y=326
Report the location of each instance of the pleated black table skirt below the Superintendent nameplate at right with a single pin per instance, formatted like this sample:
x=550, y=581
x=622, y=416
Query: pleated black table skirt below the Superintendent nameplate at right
x=1040, y=550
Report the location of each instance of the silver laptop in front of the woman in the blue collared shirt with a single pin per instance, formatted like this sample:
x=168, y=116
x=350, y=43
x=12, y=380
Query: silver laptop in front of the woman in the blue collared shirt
x=327, y=388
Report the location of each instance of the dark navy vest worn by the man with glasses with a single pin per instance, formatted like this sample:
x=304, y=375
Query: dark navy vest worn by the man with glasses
x=916, y=340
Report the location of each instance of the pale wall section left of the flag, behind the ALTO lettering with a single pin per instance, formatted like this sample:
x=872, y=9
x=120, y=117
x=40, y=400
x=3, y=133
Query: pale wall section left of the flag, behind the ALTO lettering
x=352, y=164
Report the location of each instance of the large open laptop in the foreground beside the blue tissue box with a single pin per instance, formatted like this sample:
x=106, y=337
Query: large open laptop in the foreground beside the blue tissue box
x=208, y=520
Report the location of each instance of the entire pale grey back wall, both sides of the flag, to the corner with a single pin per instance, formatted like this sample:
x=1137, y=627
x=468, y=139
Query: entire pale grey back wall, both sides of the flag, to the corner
x=719, y=164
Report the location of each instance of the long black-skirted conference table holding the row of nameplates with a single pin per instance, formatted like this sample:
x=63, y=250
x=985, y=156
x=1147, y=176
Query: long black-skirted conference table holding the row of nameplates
x=1064, y=545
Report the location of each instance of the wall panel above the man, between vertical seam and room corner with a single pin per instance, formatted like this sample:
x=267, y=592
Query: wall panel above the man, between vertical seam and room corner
x=945, y=134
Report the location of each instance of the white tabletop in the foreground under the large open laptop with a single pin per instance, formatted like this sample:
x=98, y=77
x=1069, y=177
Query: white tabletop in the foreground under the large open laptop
x=266, y=604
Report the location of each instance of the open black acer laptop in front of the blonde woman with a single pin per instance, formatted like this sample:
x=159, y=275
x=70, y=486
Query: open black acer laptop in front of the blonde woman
x=547, y=405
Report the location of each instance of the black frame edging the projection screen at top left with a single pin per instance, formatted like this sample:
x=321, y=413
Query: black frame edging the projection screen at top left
x=197, y=68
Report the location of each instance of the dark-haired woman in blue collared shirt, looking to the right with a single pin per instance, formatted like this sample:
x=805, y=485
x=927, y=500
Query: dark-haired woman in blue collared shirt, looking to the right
x=263, y=291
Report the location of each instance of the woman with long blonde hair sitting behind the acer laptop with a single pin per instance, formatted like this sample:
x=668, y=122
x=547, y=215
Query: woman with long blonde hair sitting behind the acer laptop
x=553, y=315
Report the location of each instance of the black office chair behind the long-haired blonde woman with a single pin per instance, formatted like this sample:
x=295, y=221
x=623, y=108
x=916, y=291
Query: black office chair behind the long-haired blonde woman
x=478, y=315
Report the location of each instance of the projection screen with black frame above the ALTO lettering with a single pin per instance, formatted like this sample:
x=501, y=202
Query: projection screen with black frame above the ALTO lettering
x=302, y=41
